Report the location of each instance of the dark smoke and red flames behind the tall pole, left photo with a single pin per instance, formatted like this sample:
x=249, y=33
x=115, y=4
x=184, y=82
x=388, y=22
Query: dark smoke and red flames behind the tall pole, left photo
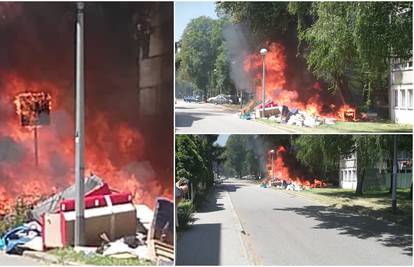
x=38, y=52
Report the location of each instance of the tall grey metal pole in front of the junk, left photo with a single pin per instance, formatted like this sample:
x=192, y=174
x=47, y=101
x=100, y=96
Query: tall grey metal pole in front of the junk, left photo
x=79, y=135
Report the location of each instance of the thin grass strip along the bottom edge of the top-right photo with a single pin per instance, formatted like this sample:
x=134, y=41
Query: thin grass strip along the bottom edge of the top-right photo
x=344, y=127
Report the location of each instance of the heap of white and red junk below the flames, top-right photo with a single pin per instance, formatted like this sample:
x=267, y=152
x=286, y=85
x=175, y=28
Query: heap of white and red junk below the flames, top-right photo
x=291, y=116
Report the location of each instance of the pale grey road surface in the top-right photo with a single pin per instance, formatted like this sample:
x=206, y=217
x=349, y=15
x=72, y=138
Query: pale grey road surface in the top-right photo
x=204, y=118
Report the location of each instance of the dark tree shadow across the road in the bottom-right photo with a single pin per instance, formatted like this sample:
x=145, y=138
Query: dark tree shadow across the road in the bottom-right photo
x=360, y=226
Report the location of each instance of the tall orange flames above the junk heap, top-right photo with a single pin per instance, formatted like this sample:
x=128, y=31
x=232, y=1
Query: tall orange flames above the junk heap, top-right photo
x=283, y=92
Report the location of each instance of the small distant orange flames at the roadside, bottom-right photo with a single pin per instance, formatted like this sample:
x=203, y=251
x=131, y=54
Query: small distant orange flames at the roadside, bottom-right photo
x=283, y=172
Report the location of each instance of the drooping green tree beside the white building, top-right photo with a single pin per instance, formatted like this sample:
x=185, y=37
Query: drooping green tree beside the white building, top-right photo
x=351, y=40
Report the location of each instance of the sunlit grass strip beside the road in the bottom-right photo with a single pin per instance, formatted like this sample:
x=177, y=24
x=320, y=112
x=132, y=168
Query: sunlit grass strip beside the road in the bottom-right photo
x=375, y=203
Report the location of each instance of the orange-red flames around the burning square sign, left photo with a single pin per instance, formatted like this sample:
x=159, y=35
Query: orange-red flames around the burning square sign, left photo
x=113, y=150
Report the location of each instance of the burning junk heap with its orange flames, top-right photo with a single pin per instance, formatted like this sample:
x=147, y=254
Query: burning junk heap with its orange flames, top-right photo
x=287, y=102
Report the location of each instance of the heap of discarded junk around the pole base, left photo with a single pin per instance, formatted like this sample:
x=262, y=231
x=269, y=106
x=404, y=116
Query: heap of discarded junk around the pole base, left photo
x=114, y=225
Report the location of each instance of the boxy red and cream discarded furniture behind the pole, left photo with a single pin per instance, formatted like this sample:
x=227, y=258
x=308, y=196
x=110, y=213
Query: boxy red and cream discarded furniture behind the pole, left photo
x=112, y=214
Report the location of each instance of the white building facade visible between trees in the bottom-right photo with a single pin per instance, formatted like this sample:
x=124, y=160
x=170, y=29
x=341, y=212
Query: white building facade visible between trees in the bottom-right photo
x=348, y=171
